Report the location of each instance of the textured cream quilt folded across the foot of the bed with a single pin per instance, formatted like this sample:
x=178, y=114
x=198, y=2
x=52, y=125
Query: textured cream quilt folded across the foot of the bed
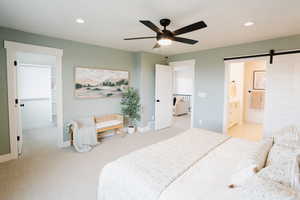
x=146, y=173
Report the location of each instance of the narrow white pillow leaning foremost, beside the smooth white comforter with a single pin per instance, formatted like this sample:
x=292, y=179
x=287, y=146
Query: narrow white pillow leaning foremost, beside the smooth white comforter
x=254, y=161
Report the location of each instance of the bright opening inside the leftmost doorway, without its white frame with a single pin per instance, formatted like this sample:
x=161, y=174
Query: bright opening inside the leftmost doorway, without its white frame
x=36, y=89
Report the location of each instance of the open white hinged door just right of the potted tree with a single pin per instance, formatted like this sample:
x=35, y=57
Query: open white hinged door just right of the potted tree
x=163, y=96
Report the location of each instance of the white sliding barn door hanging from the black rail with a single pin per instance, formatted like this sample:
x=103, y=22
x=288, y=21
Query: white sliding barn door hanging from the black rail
x=283, y=93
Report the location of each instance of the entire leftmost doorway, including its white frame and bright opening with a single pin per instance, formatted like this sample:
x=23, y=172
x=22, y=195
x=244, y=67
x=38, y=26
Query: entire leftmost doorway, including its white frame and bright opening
x=35, y=98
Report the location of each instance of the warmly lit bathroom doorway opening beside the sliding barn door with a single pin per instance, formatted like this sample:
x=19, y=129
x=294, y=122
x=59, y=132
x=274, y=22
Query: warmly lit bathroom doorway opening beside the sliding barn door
x=245, y=90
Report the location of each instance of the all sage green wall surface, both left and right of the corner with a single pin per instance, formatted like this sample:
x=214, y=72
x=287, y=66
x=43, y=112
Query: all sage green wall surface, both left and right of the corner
x=209, y=76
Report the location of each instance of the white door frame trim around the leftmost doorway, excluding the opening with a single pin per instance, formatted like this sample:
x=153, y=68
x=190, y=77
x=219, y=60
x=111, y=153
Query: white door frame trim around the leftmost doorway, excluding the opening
x=11, y=54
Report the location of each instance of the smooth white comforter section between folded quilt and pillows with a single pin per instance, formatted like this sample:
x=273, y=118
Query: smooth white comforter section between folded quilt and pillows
x=208, y=179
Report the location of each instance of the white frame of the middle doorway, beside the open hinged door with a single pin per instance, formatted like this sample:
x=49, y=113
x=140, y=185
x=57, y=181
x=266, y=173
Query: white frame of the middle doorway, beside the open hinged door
x=192, y=63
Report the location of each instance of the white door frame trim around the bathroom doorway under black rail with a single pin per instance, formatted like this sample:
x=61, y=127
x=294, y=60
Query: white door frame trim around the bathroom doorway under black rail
x=226, y=82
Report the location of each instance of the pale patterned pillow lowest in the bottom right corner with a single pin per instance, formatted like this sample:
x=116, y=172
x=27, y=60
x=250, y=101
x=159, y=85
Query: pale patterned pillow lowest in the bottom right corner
x=257, y=188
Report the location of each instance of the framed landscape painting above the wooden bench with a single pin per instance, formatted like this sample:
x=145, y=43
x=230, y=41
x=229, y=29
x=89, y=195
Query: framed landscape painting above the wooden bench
x=100, y=83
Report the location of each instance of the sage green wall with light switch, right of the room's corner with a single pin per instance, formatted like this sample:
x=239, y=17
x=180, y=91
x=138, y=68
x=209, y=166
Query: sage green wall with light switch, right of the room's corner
x=210, y=75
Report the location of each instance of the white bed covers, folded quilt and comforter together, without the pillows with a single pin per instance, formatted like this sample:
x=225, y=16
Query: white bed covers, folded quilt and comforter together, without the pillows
x=194, y=165
